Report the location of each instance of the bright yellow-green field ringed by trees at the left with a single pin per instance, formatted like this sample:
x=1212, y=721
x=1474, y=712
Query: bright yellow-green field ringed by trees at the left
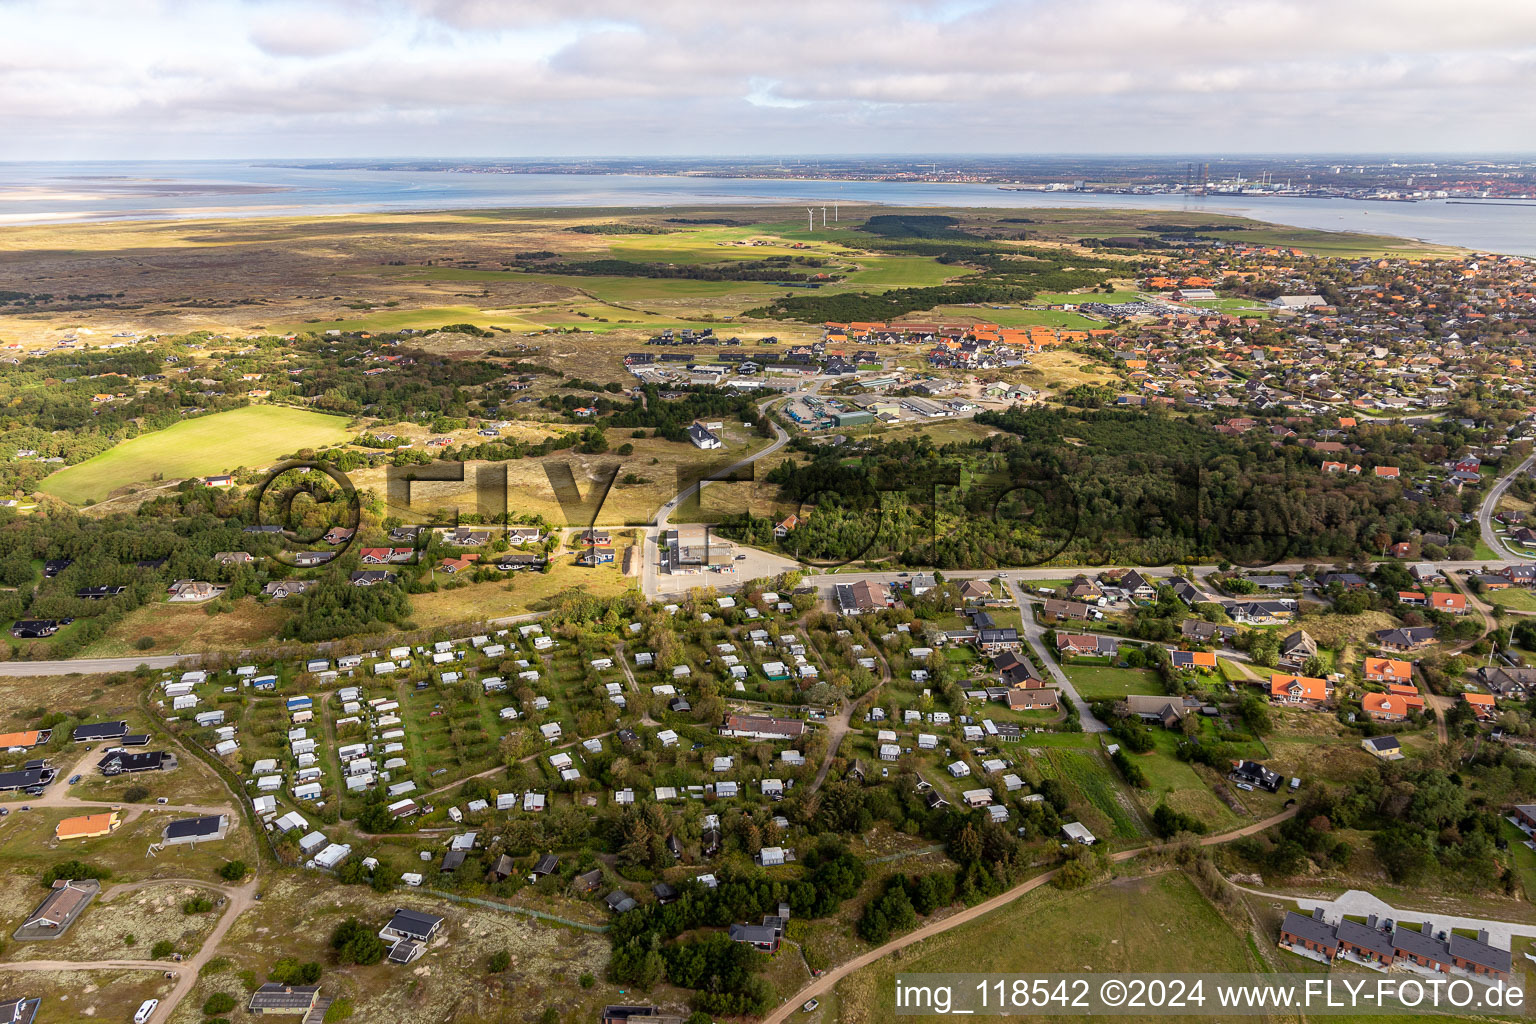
x=253, y=437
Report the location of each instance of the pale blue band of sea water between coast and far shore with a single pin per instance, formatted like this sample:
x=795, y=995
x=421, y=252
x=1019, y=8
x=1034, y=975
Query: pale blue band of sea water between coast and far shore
x=167, y=191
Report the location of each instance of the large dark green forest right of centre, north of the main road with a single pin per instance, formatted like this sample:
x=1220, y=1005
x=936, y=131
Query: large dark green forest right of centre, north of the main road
x=1087, y=487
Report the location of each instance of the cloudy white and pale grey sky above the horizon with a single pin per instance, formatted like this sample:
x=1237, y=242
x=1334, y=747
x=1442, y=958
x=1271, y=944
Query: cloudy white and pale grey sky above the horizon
x=273, y=79
